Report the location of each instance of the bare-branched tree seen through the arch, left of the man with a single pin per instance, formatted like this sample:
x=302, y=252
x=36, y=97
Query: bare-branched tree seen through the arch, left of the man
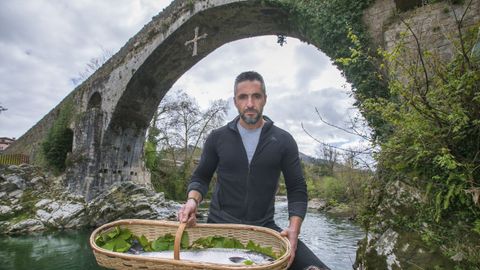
x=177, y=129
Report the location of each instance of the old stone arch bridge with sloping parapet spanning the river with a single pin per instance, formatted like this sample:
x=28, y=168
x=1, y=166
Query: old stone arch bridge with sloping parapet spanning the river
x=112, y=109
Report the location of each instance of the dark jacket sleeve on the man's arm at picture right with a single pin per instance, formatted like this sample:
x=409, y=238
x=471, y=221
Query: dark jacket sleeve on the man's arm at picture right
x=294, y=180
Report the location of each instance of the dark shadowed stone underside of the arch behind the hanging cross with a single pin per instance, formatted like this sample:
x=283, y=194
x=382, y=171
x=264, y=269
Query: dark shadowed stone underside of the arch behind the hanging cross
x=171, y=59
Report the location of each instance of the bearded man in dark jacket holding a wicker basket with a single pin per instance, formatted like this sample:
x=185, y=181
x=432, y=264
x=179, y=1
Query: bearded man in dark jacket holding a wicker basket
x=248, y=155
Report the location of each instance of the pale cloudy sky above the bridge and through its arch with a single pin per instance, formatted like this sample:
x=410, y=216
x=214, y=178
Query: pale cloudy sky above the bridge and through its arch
x=46, y=44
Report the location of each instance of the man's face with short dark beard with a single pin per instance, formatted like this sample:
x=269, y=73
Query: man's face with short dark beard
x=250, y=100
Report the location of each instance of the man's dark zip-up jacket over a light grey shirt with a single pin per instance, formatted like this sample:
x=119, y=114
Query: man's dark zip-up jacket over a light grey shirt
x=245, y=193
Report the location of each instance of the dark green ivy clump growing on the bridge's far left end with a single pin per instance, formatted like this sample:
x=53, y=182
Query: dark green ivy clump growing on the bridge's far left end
x=59, y=139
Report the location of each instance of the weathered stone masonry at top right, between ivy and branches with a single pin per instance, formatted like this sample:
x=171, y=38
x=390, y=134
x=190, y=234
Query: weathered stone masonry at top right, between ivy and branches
x=434, y=24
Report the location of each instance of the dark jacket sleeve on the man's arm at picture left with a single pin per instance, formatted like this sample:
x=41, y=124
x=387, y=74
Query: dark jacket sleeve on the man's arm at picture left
x=202, y=175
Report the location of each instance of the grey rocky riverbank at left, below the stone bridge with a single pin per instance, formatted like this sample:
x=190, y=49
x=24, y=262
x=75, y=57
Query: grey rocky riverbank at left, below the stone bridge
x=31, y=200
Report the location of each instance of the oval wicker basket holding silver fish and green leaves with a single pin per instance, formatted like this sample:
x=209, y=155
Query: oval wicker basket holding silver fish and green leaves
x=155, y=244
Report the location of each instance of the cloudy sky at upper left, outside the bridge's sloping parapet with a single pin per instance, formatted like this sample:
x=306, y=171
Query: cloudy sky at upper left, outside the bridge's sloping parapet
x=44, y=44
